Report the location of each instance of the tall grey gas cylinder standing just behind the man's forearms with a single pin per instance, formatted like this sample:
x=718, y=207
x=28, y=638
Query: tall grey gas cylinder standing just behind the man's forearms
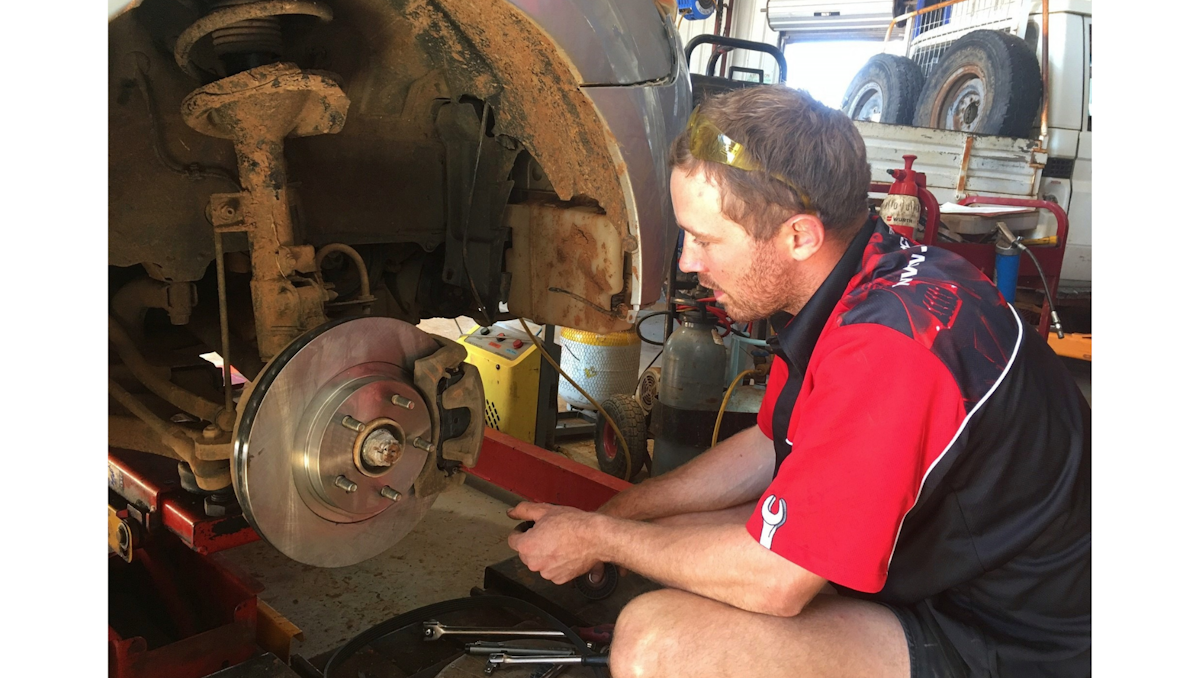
x=691, y=392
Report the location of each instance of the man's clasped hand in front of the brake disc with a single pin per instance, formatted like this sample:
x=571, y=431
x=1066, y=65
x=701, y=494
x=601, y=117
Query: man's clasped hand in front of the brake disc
x=561, y=547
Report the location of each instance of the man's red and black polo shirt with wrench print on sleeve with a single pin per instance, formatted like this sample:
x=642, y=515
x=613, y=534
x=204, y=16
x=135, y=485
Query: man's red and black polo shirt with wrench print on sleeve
x=932, y=449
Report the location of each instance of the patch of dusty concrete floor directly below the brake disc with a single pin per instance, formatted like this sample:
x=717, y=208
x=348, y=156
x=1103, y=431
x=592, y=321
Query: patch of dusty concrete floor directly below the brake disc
x=443, y=557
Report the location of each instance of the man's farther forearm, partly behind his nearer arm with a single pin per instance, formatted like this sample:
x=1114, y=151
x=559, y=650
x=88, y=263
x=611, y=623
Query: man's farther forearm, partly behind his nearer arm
x=735, y=472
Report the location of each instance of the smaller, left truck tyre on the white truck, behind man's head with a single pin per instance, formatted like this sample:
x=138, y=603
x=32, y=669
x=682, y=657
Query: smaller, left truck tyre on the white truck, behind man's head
x=885, y=91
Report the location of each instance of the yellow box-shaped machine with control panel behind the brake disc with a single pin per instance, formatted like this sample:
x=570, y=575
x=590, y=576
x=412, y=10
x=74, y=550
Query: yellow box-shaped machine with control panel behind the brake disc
x=511, y=368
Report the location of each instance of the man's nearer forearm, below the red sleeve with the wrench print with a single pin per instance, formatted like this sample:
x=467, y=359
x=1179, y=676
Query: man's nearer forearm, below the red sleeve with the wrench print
x=722, y=562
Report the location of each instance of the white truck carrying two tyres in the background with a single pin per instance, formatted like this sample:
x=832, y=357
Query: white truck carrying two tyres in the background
x=965, y=99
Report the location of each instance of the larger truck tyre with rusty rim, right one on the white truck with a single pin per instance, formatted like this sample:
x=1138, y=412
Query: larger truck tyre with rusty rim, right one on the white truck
x=987, y=83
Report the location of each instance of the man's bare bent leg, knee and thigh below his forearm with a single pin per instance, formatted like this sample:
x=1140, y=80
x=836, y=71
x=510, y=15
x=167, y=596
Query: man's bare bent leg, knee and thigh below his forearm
x=670, y=633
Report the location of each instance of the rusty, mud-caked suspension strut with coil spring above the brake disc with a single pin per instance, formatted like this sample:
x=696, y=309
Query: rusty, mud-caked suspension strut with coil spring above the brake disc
x=287, y=295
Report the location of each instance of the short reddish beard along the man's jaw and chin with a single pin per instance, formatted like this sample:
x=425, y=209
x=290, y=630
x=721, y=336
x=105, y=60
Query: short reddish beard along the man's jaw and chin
x=767, y=286
